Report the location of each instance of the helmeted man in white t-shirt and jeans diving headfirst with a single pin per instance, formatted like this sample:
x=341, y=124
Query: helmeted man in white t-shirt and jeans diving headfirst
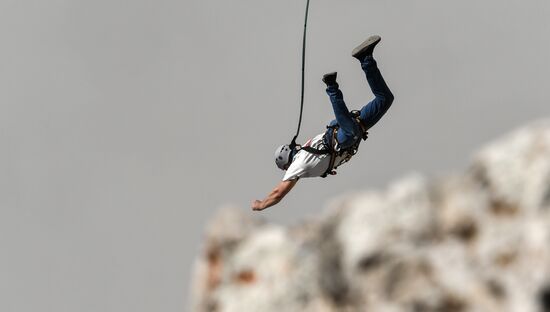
x=321, y=155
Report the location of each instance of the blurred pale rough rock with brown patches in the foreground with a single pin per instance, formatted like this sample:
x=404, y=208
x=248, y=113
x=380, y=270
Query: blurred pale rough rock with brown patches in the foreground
x=476, y=241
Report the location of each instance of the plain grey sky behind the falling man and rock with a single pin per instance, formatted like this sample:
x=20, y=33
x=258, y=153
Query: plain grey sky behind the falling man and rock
x=124, y=125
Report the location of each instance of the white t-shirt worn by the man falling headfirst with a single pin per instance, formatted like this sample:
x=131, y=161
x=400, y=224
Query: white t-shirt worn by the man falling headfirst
x=308, y=165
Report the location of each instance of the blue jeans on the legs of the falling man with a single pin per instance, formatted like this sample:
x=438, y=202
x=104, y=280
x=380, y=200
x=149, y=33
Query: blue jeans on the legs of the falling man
x=350, y=131
